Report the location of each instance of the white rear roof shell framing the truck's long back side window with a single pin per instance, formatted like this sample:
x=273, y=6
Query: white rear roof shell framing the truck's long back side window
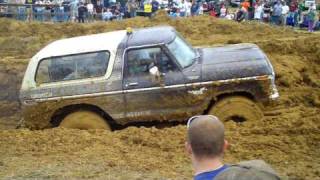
x=82, y=44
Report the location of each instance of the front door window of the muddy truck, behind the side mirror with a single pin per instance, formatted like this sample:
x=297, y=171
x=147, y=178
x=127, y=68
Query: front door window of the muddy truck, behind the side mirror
x=139, y=61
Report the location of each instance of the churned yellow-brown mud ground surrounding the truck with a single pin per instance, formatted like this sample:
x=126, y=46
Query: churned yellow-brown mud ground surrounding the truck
x=288, y=137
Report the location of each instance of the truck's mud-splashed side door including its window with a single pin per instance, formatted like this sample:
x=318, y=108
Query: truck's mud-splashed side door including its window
x=146, y=97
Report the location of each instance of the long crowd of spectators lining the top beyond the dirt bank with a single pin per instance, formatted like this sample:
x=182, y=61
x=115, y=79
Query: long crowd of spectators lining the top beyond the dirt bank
x=276, y=12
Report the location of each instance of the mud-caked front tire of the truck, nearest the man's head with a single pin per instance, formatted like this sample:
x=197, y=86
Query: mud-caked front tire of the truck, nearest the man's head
x=236, y=108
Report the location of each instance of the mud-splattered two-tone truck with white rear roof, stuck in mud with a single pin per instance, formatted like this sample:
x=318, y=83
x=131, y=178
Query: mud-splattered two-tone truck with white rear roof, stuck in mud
x=148, y=74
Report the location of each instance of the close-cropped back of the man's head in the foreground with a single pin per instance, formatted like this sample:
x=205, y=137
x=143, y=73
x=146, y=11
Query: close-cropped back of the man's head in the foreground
x=206, y=136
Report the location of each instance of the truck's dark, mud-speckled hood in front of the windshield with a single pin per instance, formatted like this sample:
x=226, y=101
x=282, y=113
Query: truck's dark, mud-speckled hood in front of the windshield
x=234, y=61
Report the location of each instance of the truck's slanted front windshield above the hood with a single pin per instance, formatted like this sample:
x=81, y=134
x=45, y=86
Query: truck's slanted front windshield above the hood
x=182, y=51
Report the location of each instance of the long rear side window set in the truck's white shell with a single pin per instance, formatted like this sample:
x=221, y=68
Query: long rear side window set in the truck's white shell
x=72, y=67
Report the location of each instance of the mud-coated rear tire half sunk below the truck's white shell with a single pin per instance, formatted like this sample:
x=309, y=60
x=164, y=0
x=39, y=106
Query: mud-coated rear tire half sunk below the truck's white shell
x=84, y=120
